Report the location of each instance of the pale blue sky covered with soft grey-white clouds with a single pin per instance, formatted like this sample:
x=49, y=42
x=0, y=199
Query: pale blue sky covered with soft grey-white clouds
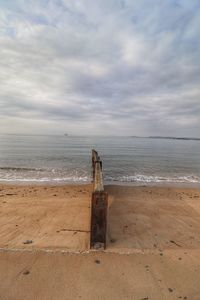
x=103, y=67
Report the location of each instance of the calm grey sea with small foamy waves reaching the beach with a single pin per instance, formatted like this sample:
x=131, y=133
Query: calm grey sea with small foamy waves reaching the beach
x=64, y=159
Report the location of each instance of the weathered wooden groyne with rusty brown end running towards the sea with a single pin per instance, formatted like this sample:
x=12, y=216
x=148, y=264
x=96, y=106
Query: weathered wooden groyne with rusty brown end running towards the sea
x=98, y=206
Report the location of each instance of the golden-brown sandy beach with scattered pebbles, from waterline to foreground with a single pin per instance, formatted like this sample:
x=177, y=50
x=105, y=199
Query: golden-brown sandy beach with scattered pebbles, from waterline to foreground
x=153, y=244
